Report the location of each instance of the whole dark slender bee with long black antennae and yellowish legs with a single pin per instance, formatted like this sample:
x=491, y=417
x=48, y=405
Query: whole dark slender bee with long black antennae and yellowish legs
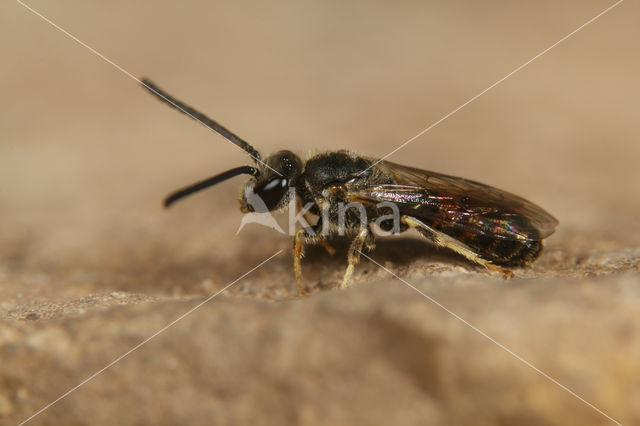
x=488, y=226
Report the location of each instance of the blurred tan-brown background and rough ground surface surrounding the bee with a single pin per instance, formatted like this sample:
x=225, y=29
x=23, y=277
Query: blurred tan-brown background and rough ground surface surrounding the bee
x=90, y=264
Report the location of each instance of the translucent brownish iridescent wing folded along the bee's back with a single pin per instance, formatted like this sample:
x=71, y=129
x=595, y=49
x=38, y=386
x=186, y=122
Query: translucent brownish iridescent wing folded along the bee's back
x=458, y=206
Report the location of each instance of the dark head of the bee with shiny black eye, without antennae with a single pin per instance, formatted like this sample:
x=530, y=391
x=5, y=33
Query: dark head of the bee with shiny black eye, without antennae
x=274, y=184
